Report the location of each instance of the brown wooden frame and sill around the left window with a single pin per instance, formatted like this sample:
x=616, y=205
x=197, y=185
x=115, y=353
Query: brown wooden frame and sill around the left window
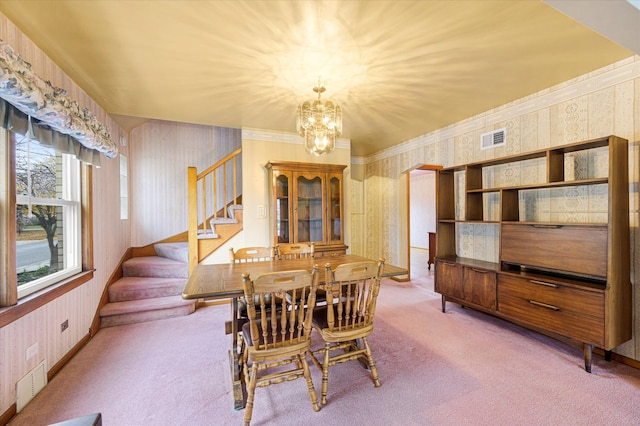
x=12, y=308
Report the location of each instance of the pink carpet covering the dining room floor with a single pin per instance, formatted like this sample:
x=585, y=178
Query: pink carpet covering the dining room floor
x=462, y=367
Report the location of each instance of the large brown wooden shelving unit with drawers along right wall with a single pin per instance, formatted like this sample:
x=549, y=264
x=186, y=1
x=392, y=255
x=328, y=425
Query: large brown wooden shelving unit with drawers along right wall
x=568, y=279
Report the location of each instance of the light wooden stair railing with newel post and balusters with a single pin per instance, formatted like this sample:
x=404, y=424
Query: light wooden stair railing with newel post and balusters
x=209, y=195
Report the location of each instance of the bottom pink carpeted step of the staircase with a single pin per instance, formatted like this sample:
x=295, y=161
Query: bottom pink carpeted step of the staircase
x=134, y=311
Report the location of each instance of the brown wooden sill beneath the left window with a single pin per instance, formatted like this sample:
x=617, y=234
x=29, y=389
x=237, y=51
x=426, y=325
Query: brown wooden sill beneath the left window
x=30, y=303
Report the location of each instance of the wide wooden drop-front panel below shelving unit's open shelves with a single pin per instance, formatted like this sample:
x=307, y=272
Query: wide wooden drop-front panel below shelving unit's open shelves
x=568, y=248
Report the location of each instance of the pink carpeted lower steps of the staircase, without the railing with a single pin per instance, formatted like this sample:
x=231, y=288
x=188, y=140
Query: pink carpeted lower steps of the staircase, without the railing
x=150, y=288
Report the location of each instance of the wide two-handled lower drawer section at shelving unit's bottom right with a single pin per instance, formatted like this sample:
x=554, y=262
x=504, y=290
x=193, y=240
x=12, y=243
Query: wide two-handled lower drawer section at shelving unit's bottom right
x=567, y=311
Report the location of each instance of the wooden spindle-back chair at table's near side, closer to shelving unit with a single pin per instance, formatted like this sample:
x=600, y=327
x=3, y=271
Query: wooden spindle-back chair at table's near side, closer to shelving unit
x=347, y=318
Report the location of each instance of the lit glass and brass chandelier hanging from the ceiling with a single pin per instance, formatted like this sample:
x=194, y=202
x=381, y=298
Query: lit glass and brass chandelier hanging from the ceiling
x=319, y=123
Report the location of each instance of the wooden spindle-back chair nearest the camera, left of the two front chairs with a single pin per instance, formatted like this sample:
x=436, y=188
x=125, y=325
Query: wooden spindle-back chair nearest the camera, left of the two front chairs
x=278, y=336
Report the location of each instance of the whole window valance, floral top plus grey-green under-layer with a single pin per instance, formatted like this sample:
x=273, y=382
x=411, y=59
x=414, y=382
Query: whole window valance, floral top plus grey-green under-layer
x=54, y=114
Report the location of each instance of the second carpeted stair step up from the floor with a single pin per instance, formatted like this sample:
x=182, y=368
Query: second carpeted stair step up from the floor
x=135, y=288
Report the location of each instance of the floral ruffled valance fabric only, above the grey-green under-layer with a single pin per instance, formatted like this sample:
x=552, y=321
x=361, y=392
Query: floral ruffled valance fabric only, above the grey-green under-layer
x=50, y=105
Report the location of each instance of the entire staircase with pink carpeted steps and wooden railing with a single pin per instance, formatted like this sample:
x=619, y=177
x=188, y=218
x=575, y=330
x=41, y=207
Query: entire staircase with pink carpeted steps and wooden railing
x=151, y=286
